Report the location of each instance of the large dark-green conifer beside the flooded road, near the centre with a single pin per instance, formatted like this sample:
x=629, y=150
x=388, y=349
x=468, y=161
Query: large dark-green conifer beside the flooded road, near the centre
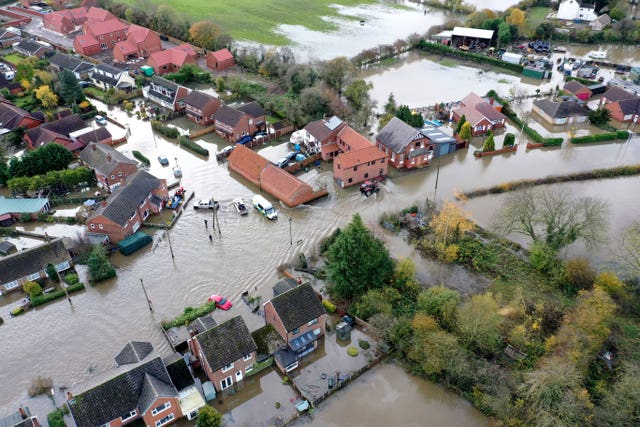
x=357, y=261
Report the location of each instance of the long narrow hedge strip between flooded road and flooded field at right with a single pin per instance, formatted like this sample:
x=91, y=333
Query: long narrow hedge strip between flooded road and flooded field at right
x=579, y=176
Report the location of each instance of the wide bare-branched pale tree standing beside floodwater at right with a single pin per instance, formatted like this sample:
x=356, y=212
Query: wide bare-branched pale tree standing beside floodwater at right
x=555, y=218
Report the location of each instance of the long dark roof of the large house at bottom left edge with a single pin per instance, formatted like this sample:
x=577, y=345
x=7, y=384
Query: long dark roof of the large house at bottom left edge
x=120, y=393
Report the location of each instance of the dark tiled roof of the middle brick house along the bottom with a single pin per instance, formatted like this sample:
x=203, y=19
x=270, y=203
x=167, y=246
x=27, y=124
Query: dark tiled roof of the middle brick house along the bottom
x=226, y=343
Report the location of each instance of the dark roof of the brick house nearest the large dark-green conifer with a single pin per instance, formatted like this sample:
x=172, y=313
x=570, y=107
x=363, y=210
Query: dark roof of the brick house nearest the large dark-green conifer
x=298, y=307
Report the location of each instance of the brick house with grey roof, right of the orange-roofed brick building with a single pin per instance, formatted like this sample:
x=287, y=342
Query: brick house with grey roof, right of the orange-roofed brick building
x=407, y=147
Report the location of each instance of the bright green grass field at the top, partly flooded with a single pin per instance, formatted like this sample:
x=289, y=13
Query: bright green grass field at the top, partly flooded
x=256, y=20
